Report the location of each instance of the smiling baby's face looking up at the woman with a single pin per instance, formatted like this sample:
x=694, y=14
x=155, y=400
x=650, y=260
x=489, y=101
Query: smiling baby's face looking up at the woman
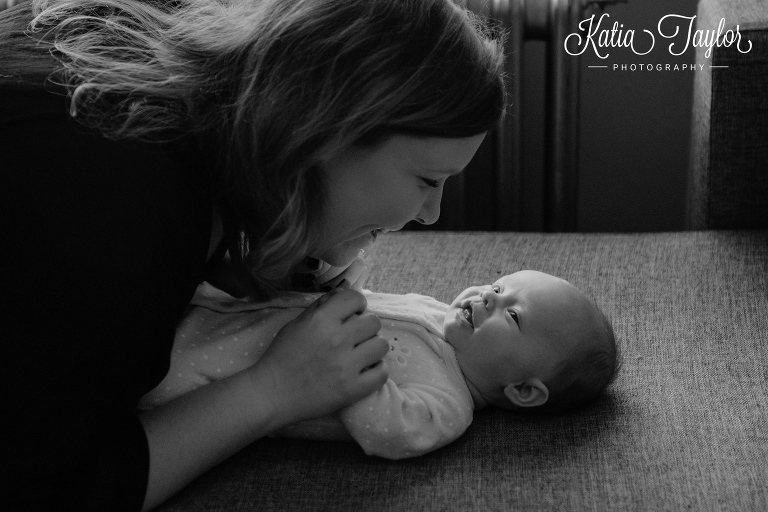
x=514, y=329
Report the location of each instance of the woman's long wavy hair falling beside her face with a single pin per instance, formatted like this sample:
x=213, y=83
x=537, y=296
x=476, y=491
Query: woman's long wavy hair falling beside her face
x=276, y=87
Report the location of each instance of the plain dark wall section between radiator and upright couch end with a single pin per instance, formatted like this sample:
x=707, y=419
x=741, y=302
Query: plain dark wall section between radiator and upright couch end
x=635, y=129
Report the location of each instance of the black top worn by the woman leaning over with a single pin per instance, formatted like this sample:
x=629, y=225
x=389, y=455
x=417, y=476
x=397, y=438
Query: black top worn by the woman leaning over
x=104, y=244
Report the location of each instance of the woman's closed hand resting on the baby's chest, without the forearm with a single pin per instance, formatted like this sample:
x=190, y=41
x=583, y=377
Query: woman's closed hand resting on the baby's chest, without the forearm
x=328, y=358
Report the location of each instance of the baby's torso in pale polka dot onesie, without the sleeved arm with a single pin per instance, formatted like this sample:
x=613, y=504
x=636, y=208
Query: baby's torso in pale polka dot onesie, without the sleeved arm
x=221, y=336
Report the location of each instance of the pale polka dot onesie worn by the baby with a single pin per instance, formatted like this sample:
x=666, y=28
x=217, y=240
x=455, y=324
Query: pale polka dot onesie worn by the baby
x=425, y=403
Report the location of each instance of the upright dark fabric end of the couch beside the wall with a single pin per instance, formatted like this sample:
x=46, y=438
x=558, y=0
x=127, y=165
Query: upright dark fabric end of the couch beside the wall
x=728, y=178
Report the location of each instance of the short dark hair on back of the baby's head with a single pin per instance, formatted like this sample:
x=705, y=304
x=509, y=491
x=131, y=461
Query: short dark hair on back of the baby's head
x=585, y=376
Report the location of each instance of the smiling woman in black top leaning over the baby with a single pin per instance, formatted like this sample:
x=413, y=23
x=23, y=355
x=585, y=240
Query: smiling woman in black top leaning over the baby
x=270, y=129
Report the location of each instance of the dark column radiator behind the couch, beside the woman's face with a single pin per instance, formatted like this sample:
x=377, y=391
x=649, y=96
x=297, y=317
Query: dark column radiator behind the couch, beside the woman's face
x=488, y=196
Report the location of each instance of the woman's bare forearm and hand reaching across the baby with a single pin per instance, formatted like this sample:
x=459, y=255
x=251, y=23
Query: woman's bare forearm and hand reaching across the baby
x=327, y=358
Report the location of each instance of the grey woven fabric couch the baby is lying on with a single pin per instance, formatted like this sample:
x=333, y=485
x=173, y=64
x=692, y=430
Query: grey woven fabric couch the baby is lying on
x=685, y=427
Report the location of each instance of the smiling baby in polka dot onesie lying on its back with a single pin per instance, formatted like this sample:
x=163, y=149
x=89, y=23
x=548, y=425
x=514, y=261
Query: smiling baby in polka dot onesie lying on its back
x=528, y=342
